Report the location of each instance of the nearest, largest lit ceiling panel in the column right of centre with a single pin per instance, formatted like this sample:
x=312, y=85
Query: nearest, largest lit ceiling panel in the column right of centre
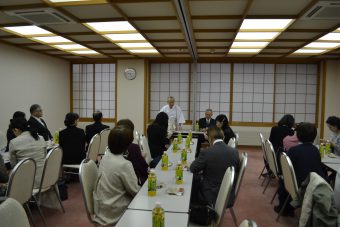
x=265, y=24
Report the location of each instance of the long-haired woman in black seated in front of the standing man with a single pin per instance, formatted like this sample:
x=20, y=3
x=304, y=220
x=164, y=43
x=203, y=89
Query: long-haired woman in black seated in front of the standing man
x=157, y=137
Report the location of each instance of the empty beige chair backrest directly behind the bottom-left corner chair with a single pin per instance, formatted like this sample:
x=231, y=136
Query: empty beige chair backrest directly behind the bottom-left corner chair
x=21, y=181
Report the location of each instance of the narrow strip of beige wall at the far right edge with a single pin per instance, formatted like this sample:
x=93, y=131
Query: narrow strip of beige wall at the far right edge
x=332, y=94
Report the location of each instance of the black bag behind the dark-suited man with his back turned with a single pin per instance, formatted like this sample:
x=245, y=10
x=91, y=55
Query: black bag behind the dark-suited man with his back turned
x=202, y=214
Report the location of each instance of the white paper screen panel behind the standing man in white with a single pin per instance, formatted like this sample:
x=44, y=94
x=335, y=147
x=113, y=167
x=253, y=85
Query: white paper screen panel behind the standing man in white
x=169, y=80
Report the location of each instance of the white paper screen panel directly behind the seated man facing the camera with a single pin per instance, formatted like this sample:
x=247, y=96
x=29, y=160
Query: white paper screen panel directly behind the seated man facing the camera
x=213, y=89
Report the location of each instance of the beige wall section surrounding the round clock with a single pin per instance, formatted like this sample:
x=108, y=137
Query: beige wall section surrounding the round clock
x=130, y=93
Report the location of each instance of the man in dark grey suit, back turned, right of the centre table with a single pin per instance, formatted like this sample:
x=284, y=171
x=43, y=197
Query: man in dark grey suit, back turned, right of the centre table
x=210, y=166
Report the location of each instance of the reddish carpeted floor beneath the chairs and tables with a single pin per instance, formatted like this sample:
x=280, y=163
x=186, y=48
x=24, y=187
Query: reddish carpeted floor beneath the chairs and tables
x=250, y=204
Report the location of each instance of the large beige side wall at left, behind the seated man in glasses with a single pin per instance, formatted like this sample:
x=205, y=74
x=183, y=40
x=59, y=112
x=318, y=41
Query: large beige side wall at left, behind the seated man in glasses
x=26, y=78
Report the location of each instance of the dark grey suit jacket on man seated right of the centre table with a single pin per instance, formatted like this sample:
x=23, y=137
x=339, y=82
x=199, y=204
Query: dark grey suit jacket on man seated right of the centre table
x=214, y=161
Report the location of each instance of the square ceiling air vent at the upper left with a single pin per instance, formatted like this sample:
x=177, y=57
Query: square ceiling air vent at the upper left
x=41, y=16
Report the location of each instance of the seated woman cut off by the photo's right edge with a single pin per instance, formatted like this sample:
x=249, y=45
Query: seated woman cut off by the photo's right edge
x=333, y=124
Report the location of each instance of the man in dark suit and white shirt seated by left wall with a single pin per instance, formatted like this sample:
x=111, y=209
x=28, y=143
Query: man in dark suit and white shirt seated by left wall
x=37, y=123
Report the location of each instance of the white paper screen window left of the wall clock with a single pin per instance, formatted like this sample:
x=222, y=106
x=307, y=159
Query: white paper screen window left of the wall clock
x=94, y=89
